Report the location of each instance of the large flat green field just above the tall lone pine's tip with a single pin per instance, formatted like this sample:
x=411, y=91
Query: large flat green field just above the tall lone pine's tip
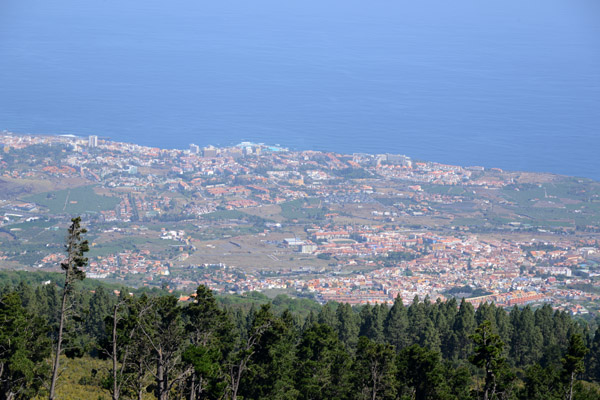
x=74, y=201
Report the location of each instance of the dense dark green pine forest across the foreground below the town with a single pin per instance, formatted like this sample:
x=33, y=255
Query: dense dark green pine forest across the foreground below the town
x=248, y=347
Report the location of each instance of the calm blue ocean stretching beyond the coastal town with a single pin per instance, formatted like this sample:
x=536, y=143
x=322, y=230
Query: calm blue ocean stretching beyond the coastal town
x=503, y=83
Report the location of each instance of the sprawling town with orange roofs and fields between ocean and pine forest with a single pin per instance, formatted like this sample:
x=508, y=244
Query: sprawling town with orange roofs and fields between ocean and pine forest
x=355, y=228
